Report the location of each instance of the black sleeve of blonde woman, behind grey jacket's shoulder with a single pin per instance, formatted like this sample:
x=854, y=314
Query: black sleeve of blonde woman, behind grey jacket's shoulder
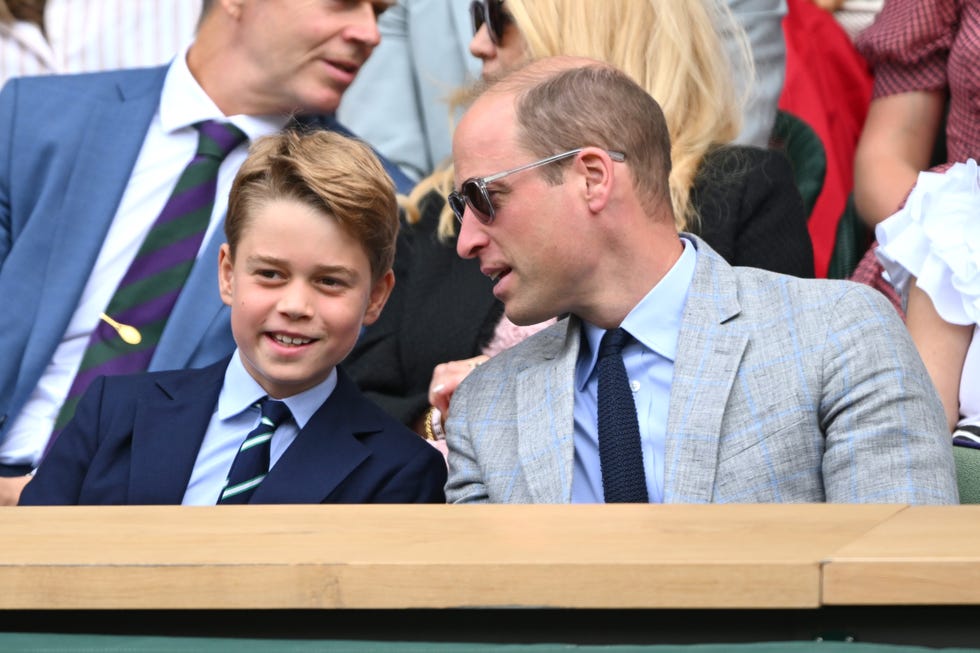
x=751, y=211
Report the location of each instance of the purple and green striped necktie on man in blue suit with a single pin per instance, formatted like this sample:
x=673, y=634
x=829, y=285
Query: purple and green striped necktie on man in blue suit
x=148, y=291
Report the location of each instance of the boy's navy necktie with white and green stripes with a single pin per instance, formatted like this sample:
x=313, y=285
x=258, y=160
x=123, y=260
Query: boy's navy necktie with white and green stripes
x=251, y=464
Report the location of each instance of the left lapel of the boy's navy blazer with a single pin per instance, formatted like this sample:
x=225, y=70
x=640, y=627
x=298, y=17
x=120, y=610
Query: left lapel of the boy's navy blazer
x=167, y=433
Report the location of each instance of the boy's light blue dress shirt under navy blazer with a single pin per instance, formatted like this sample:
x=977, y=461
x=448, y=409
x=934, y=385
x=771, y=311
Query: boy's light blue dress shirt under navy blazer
x=233, y=418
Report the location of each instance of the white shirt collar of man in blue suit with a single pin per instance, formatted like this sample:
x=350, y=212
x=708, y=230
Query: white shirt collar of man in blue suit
x=183, y=103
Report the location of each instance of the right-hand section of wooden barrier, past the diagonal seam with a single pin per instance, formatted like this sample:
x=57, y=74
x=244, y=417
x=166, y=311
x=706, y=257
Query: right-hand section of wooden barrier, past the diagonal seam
x=921, y=556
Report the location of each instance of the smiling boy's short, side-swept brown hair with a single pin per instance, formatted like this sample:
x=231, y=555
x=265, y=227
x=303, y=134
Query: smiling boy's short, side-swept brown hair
x=338, y=175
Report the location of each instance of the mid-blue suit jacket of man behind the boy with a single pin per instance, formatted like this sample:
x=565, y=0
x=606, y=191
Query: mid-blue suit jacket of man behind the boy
x=67, y=147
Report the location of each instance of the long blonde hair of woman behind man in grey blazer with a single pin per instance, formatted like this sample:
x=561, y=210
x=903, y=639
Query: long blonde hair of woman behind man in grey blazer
x=671, y=48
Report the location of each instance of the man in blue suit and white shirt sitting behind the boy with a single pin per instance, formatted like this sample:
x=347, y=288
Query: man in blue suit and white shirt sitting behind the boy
x=88, y=164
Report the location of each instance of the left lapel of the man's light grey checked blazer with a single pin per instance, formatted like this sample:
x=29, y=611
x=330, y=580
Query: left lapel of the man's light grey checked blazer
x=549, y=387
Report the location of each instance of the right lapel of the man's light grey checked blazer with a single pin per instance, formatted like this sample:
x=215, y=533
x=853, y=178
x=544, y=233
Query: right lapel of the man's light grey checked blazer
x=708, y=356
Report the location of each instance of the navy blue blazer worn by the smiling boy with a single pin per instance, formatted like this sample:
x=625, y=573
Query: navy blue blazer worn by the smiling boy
x=134, y=440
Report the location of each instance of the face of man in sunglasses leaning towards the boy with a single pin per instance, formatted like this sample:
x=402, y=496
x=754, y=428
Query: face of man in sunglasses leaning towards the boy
x=532, y=249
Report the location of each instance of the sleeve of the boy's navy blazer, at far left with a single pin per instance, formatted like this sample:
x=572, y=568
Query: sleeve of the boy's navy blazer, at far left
x=62, y=473
